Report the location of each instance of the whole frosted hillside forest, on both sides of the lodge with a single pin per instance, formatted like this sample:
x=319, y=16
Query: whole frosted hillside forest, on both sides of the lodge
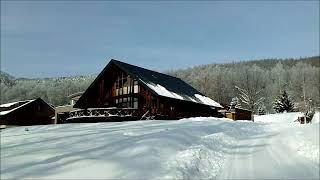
x=264, y=80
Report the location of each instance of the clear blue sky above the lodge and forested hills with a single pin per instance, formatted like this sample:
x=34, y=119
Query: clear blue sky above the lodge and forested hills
x=65, y=38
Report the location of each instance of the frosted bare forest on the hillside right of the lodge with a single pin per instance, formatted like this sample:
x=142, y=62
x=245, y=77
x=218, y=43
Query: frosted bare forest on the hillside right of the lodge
x=269, y=78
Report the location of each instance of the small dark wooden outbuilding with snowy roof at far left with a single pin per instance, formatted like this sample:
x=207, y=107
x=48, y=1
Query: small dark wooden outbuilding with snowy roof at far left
x=25, y=113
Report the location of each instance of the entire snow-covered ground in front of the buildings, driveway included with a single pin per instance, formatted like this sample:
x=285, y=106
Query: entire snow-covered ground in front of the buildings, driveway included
x=212, y=148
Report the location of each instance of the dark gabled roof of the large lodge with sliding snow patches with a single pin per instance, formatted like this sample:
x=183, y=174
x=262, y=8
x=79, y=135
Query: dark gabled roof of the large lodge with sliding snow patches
x=161, y=84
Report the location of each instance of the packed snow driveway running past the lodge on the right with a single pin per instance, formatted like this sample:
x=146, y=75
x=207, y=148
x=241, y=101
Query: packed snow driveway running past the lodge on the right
x=274, y=154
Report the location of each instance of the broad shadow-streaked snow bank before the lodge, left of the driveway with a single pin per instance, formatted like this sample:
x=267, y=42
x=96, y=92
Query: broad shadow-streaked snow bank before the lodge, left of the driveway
x=187, y=148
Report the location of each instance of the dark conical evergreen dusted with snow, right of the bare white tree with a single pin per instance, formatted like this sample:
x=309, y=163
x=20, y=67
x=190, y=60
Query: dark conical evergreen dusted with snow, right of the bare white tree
x=283, y=103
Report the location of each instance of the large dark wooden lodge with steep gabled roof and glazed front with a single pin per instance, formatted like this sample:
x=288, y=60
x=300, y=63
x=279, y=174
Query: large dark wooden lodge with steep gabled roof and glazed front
x=127, y=92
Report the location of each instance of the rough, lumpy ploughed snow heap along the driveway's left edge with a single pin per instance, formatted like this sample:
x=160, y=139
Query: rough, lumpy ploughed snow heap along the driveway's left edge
x=202, y=161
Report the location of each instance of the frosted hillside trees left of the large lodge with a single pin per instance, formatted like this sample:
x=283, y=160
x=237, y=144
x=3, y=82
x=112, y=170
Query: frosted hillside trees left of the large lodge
x=52, y=90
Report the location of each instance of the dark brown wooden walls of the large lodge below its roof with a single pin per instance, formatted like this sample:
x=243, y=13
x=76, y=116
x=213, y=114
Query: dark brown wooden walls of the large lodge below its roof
x=116, y=86
